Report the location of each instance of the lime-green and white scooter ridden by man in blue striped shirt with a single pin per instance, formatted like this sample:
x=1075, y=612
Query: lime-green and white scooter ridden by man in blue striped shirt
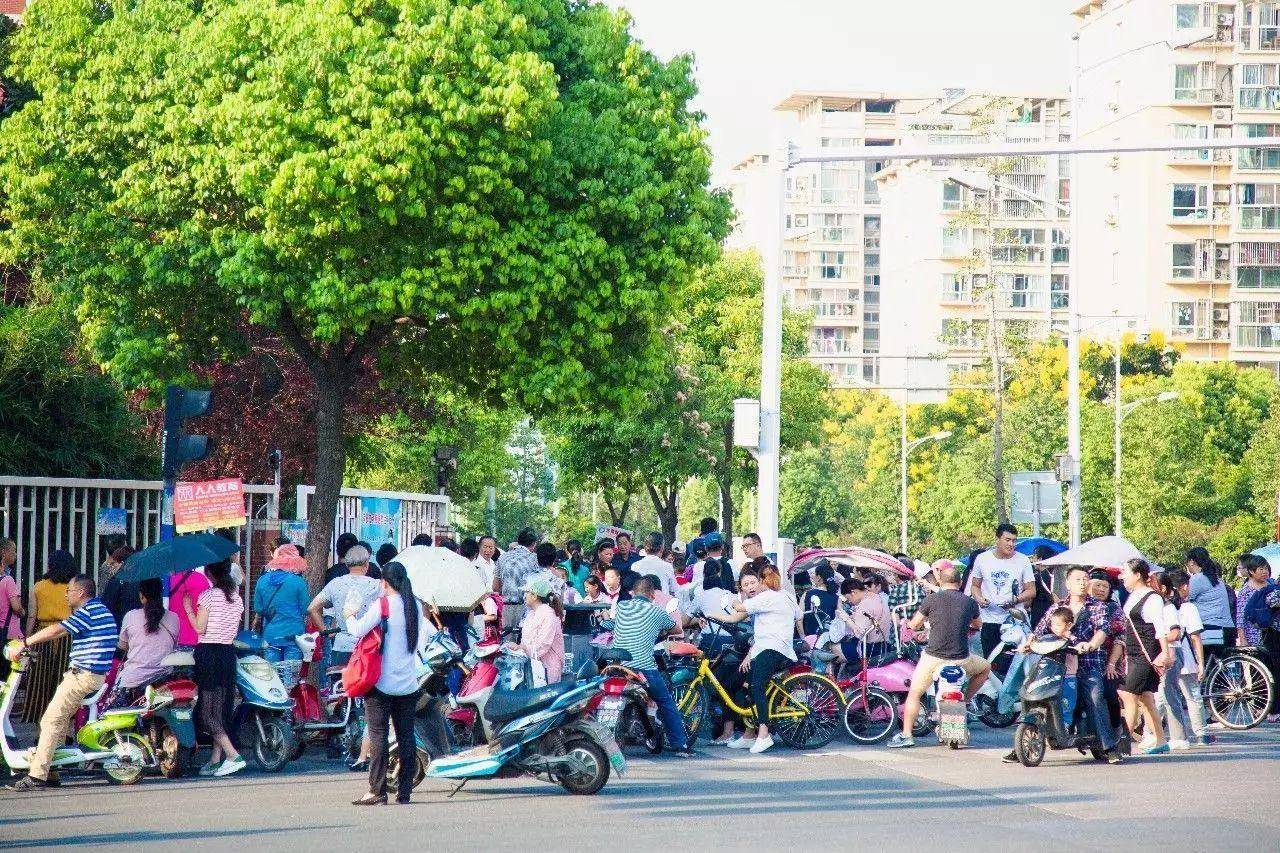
x=112, y=742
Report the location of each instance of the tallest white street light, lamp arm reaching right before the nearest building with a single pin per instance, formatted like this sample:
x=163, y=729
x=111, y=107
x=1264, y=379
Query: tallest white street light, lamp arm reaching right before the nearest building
x=1181, y=39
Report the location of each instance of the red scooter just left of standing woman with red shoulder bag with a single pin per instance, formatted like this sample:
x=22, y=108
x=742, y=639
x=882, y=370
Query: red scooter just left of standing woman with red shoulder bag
x=322, y=714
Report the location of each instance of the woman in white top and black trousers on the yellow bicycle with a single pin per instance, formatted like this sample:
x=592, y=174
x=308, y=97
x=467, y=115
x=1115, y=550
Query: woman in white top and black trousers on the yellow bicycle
x=776, y=614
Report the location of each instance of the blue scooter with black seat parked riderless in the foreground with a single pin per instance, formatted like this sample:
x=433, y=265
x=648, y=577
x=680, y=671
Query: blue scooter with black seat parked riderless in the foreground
x=543, y=733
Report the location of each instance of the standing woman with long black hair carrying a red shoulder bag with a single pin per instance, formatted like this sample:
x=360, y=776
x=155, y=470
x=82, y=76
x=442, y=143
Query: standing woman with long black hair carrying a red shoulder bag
x=395, y=697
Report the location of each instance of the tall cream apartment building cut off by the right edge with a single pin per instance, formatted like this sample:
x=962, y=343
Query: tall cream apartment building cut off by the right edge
x=1187, y=243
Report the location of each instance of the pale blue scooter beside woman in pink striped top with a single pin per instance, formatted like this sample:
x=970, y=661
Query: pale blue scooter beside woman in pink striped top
x=262, y=718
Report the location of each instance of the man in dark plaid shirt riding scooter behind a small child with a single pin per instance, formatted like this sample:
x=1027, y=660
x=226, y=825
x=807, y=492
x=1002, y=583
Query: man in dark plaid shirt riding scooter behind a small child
x=1090, y=633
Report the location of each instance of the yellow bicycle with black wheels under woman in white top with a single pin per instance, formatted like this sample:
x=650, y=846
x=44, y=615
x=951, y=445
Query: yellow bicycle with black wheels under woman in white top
x=804, y=708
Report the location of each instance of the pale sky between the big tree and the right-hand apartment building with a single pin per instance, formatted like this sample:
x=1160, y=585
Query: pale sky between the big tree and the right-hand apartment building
x=752, y=54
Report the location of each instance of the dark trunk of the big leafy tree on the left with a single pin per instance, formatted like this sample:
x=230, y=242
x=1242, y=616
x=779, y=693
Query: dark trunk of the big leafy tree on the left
x=331, y=464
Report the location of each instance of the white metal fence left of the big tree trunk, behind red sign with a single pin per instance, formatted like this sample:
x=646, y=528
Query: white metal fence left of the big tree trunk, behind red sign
x=49, y=514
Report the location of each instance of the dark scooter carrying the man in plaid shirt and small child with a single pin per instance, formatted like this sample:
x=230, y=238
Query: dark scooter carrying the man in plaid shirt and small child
x=1043, y=726
